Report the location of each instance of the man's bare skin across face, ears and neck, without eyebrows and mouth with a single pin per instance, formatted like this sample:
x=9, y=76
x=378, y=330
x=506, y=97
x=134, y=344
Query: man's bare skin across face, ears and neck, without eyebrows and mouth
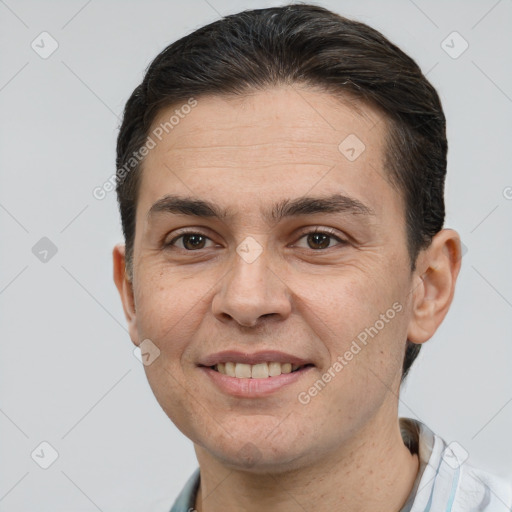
x=343, y=450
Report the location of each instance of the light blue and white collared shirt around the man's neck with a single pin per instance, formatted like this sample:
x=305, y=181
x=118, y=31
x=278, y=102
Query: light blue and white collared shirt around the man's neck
x=445, y=481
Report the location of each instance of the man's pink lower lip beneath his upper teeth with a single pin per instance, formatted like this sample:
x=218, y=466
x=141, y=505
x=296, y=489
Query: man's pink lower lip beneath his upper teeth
x=253, y=388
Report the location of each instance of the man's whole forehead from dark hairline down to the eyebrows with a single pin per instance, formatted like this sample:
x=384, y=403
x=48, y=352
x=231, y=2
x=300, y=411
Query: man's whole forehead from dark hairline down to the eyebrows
x=276, y=143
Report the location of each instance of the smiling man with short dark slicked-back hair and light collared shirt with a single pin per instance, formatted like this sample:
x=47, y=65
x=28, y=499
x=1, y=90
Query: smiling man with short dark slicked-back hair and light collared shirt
x=280, y=180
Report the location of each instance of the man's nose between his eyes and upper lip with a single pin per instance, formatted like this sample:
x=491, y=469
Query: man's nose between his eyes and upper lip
x=251, y=291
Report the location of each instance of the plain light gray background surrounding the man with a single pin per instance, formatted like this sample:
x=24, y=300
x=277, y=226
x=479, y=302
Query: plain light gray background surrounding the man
x=68, y=375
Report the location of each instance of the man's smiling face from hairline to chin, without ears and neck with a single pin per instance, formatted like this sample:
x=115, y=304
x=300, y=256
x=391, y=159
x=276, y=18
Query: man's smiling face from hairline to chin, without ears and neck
x=259, y=279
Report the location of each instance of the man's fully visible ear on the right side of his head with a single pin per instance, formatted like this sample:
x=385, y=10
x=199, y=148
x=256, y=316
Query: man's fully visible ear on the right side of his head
x=434, y=284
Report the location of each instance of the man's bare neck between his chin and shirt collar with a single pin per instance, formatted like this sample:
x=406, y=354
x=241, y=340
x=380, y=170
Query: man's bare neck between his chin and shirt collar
x=376, y=472
